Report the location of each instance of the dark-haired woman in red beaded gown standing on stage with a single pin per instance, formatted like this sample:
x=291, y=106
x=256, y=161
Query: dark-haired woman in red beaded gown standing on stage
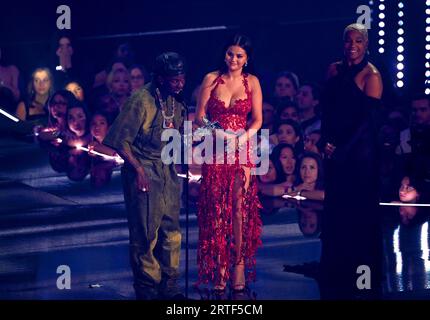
x=228, y=214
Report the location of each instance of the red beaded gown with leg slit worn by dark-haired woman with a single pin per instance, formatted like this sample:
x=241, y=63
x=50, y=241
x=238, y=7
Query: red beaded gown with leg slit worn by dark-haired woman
x=216, y=237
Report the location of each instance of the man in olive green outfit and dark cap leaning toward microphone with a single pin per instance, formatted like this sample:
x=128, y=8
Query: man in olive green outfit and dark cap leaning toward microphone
x=151, y=188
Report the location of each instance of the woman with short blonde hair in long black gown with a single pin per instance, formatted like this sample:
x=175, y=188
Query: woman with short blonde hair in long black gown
x=350, y=230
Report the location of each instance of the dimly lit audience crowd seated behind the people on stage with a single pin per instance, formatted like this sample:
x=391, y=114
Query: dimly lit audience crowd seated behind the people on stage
x=72, y=111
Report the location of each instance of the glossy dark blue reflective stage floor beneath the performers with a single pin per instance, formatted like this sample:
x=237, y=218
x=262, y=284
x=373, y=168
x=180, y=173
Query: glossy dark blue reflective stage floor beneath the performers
x=47, y=221
